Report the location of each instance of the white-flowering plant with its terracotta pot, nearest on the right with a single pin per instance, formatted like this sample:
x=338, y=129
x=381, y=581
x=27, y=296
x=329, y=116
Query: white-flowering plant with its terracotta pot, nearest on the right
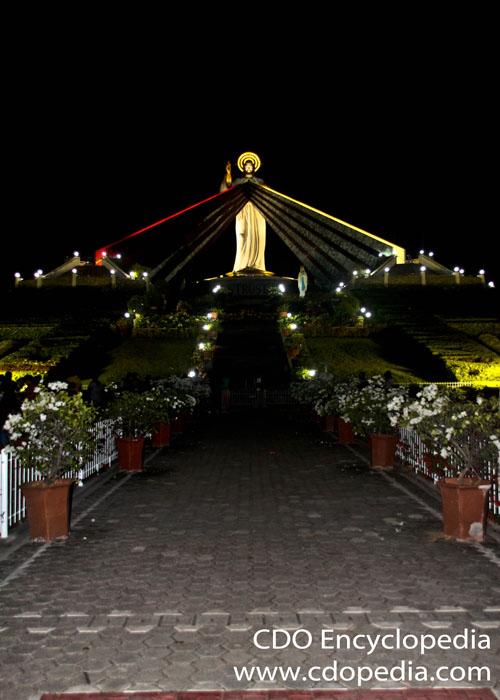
x=465, y=435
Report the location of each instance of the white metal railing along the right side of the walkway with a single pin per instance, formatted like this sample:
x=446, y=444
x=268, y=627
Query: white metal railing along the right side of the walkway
x=412, y=451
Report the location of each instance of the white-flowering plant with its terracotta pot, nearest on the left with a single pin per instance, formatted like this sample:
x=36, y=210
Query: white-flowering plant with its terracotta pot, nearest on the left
x=52, y=435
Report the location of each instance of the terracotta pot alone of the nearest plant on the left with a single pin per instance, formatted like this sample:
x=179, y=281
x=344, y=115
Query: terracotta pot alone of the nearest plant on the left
x=48, y=508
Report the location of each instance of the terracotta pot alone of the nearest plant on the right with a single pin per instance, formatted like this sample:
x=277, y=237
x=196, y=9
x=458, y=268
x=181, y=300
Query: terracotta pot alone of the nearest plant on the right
x=465, y=508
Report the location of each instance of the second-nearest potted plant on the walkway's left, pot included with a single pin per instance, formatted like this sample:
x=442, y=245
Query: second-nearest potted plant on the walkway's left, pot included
x=134, y=417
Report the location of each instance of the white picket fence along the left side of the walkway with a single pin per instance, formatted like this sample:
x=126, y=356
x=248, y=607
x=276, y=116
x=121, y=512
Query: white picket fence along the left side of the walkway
x=13, y=475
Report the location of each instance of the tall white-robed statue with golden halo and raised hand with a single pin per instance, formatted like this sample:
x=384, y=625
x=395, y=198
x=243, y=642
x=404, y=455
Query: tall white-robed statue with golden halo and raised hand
x=250, y=224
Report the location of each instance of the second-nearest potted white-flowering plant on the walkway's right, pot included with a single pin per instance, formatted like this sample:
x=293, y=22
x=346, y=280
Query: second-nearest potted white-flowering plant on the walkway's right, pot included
x=373, y=409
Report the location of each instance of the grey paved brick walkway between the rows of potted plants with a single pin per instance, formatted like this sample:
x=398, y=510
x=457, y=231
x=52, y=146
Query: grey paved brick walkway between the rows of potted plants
x=250, y=522
